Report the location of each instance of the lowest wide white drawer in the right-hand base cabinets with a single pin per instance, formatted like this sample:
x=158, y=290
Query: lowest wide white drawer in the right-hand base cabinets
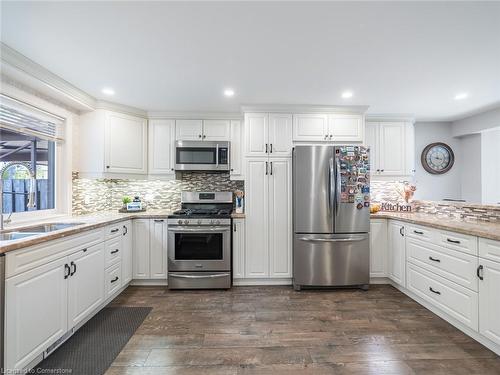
x=453, y=299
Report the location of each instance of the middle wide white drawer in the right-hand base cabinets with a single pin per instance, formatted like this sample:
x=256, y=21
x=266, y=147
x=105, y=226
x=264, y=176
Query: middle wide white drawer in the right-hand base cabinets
x=453, y=265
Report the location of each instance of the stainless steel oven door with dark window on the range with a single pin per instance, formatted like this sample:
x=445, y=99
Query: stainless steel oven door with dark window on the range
x=199, y=248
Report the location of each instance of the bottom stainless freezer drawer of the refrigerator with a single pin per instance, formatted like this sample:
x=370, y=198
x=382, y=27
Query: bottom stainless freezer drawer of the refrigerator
x=331, y=260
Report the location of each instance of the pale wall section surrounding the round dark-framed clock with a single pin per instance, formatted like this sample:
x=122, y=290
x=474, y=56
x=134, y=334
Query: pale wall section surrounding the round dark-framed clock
x=437, y=187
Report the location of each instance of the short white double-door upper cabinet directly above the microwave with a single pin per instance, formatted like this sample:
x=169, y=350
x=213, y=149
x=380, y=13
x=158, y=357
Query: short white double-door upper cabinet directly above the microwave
x=203, y=130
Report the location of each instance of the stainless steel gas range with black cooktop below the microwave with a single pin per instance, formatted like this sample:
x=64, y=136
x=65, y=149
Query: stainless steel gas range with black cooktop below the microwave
x=199, y=241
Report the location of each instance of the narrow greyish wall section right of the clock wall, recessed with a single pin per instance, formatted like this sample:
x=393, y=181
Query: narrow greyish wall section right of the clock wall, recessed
x=471, y=168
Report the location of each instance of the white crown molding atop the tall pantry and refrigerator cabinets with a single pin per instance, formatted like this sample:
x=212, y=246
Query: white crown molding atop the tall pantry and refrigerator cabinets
x=304, y=108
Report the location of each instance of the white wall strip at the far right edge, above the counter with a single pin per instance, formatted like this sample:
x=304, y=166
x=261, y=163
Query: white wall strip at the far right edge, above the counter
x=490, y=166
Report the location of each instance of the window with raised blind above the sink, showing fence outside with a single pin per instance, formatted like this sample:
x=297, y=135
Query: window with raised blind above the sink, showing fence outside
x=27, y=171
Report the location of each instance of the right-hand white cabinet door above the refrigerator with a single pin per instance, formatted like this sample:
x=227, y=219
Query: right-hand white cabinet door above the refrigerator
x=345, y=128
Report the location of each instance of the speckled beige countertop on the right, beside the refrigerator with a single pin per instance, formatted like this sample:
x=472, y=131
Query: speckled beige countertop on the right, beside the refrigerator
x=489, y=230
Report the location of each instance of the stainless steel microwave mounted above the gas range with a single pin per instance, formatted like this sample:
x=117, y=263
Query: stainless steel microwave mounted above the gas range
x=201, y=156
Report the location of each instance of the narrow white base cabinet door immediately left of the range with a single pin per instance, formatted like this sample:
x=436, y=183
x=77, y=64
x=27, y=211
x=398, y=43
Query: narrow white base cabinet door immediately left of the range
x=158, y=248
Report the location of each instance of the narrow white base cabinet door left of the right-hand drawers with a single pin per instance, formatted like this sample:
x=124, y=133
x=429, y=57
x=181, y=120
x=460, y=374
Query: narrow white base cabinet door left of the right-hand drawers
x=397, y=257
